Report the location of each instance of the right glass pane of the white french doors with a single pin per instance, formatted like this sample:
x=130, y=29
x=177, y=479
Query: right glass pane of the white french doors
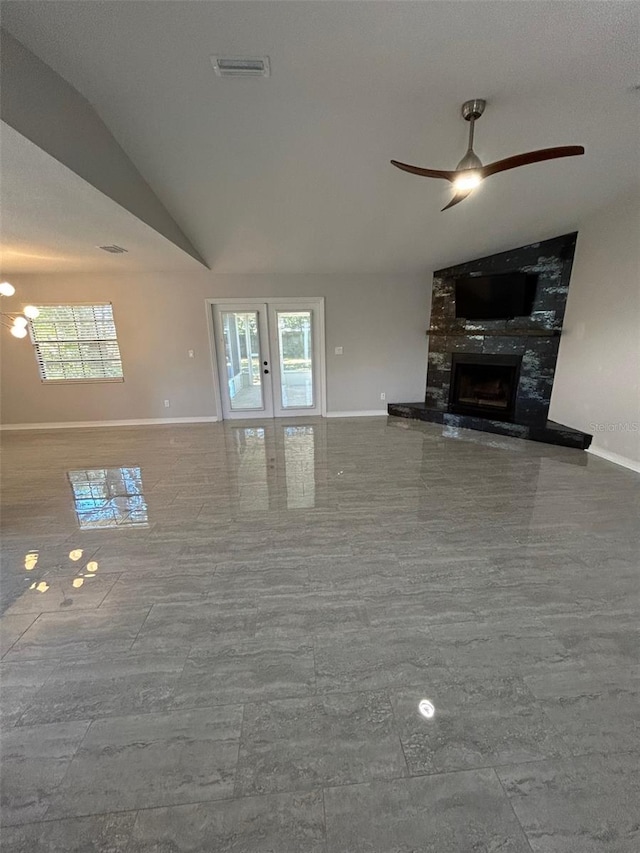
x=295, y=349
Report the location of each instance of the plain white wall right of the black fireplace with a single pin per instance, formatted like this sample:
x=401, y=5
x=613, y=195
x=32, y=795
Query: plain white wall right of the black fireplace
x=596, y=387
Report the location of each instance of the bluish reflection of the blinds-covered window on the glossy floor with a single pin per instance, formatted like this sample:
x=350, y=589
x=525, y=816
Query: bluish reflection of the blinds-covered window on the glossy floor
x=109, y=497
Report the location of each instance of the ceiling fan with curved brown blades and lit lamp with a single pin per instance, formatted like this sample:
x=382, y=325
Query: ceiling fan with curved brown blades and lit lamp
x=469, y=173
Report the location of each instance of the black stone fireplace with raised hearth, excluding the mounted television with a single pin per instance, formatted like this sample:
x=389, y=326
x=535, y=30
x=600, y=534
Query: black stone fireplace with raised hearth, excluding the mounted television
x=497, y=375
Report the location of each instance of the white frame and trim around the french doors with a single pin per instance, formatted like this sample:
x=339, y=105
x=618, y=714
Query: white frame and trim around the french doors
x=316, y=303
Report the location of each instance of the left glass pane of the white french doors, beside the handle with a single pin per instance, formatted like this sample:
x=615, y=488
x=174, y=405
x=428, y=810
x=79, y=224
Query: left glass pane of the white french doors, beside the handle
x=242, y=358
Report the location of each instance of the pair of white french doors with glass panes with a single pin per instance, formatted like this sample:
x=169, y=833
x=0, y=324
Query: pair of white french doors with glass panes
x=269, y=357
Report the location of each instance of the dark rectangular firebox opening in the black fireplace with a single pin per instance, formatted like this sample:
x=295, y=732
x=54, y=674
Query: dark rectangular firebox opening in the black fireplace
x=484, y=385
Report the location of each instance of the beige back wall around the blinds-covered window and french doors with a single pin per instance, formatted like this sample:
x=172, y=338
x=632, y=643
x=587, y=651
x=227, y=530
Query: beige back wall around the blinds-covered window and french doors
x=379, y=320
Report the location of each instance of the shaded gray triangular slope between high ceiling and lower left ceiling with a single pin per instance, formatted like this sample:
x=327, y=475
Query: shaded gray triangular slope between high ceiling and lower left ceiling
x=42, y=107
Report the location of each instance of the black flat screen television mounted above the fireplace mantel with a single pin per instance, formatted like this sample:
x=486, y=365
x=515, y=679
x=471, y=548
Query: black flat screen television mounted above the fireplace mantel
x=495, y=297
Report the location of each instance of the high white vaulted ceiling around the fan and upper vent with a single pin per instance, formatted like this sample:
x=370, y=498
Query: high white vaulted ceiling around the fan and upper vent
x=291, y=173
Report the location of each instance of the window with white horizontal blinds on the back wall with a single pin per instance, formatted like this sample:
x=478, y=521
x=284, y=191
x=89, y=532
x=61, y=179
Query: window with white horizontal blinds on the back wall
x=76, y=343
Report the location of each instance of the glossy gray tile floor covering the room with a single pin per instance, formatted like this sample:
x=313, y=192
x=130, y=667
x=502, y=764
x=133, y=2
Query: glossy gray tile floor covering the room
x=217, y=636
